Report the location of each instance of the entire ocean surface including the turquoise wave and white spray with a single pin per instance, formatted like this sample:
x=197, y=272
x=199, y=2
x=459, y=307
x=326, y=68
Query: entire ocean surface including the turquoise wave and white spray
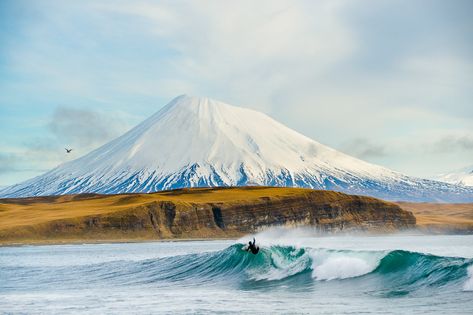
x=294, y=273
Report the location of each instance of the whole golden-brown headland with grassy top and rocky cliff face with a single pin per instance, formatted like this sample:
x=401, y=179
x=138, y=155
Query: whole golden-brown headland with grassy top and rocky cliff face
x=191, y=213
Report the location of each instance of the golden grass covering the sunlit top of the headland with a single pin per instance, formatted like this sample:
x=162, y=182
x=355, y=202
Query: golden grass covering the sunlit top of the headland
x=17, y=212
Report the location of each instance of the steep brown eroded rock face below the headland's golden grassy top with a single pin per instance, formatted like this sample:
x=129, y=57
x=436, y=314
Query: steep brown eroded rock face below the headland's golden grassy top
x=165, y=219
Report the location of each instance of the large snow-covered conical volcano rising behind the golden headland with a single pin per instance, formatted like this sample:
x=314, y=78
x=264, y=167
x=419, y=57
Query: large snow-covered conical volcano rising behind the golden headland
x=202, y=142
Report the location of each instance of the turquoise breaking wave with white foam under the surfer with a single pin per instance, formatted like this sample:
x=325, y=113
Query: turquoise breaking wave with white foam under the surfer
x=396, y=272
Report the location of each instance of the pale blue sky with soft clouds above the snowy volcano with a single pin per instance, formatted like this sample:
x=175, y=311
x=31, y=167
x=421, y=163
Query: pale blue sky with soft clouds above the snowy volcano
x=390, y=82
